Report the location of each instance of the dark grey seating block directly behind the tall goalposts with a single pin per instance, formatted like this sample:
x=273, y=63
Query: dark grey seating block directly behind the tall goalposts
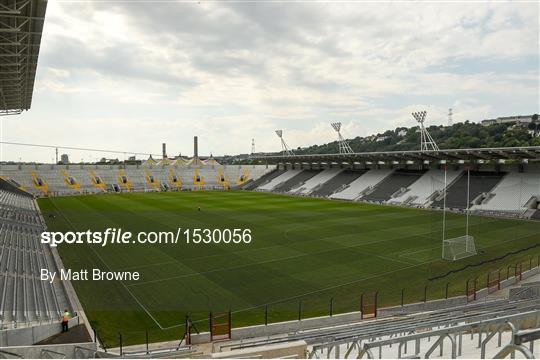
x=481, y=183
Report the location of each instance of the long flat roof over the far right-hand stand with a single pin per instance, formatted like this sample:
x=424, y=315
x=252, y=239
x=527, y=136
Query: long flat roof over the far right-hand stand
x=451, y=155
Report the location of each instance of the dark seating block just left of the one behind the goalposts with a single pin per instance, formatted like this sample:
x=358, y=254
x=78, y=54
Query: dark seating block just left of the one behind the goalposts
x=397, y=182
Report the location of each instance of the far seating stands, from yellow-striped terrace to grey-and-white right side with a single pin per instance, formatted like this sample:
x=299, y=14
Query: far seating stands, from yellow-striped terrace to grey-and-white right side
x=509, y=192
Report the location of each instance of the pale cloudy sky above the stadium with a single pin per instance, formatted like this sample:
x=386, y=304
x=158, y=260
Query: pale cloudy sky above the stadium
x=129, y=75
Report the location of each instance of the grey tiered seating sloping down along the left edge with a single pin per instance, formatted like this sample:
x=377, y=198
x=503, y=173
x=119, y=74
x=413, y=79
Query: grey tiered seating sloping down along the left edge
x=25, y=300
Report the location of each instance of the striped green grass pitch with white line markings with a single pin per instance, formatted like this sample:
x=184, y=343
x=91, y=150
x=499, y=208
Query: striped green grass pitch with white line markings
x=303, y=249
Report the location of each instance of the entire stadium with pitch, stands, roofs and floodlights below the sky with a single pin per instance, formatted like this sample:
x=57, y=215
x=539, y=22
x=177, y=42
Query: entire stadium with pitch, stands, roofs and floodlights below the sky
x=431, y=252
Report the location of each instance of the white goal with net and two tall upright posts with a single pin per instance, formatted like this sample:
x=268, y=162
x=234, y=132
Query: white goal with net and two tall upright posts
x=462, y=246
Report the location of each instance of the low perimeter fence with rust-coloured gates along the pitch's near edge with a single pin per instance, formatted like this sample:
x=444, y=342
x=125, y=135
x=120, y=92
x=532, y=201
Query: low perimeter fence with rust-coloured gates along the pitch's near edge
x=370, y=301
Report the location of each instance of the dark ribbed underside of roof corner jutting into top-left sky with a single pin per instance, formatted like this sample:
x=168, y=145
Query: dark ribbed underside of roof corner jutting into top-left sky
x=21, y=26
